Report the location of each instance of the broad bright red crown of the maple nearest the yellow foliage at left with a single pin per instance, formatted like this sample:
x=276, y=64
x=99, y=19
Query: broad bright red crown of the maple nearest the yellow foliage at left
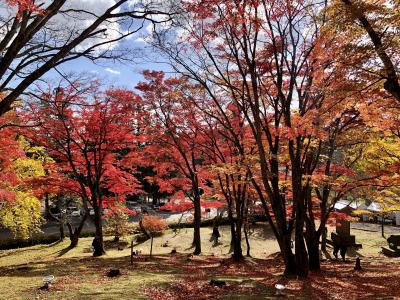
x=91, y=140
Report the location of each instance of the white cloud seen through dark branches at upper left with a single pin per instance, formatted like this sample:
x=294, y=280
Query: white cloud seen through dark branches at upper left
x=72, y=20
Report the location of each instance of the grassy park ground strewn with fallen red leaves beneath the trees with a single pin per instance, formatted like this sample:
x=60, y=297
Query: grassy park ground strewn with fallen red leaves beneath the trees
x=181, y=276
